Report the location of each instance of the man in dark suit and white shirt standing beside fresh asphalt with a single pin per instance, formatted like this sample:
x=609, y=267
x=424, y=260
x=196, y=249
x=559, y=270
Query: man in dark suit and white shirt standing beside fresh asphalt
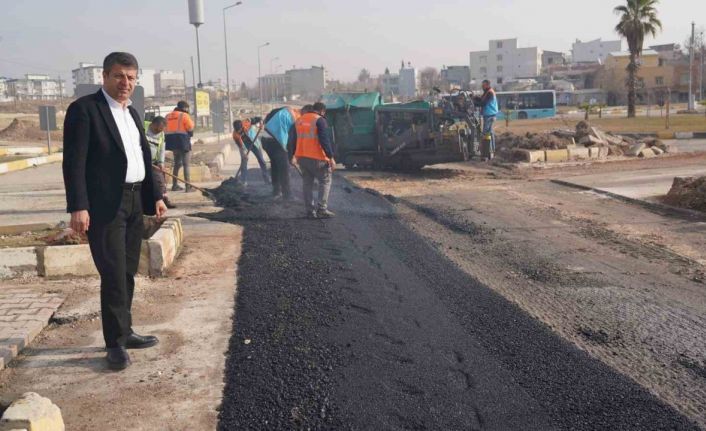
x=108, y=188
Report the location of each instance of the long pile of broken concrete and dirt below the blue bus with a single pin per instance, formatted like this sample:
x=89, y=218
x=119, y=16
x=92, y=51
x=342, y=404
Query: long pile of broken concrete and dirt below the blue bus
x=584, y=136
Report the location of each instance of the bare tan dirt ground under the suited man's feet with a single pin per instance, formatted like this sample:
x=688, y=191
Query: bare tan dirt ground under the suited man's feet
x=176, y=385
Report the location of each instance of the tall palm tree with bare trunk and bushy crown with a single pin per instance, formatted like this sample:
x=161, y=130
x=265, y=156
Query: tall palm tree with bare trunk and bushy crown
x=637, y=19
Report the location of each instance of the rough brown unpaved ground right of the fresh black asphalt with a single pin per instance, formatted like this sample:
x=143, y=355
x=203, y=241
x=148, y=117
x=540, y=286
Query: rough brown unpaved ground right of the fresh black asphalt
x=620, y=282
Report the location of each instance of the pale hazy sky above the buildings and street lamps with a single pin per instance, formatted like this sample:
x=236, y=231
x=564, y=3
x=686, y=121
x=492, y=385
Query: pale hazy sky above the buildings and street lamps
x=52, y=36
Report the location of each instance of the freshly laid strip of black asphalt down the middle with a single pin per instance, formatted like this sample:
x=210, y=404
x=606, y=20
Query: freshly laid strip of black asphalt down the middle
x=356, y=323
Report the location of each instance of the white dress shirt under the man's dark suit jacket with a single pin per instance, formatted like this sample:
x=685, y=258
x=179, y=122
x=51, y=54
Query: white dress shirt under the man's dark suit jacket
x=130, y=135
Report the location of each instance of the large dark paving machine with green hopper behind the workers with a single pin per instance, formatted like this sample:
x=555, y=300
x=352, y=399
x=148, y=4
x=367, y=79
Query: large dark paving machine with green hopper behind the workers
x=406, y=136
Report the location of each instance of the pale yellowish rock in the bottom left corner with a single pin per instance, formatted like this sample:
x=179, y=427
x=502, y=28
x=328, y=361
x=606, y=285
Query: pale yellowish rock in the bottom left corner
x=33, y=413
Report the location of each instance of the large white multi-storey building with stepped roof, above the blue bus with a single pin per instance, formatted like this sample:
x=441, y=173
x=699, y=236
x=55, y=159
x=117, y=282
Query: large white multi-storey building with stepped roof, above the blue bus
x=504, y=61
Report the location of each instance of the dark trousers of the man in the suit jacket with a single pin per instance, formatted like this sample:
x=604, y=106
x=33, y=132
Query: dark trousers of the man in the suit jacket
x=115, y=247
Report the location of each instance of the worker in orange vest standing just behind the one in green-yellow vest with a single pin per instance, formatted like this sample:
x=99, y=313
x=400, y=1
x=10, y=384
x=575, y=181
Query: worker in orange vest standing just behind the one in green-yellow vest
x=178, y=133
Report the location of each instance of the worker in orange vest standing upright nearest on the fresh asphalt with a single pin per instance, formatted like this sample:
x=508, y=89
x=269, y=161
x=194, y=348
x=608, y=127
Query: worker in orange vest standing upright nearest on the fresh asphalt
x=310, y=147
